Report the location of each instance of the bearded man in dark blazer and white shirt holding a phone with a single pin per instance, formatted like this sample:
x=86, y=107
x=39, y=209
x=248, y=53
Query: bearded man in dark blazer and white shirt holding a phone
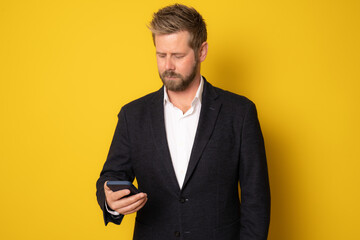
x=189, y=145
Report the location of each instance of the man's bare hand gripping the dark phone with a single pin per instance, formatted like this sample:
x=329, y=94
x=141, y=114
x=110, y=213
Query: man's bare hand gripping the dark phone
x=122, y=204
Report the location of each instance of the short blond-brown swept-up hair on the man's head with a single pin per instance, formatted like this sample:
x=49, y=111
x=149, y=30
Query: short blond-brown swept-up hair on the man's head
x=176, y=18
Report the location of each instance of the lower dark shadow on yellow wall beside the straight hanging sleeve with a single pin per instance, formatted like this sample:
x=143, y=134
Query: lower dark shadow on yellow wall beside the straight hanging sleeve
x=284, y=185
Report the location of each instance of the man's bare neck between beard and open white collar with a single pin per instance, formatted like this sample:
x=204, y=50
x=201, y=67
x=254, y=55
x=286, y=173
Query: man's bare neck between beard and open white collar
x=183, y=99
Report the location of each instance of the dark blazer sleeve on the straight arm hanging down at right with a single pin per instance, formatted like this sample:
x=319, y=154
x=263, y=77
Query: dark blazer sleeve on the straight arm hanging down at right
x=254, y=181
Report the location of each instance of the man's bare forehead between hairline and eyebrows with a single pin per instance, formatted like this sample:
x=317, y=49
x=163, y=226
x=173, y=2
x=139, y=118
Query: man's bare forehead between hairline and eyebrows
x=178, y=41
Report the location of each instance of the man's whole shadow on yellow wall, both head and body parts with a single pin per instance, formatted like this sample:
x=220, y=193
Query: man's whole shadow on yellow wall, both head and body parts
x=238, y=72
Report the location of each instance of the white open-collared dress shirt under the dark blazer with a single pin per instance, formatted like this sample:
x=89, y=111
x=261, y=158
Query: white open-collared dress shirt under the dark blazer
x=180, y=131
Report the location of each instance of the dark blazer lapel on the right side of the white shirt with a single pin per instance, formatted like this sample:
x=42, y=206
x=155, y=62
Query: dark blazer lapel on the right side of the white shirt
x=208, y=115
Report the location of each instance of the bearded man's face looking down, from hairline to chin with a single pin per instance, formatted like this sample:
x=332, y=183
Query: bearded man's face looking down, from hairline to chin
x=176, y=60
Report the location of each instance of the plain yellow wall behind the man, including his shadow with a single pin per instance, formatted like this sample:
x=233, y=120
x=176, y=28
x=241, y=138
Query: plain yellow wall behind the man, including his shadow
x=67, y=67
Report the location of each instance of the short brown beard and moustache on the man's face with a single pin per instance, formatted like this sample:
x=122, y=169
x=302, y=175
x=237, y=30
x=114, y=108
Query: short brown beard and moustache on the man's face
x=182, y=84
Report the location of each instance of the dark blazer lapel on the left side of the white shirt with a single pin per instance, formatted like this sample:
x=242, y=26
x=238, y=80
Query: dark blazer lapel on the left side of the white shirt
x=159, y=133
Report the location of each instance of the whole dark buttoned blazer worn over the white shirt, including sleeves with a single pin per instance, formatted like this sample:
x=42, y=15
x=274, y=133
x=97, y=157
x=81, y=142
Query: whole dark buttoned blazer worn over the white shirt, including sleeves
x=228, y=149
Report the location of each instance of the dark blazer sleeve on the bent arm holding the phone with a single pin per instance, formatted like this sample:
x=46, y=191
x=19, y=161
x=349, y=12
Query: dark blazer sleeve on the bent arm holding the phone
x=117, y=165
